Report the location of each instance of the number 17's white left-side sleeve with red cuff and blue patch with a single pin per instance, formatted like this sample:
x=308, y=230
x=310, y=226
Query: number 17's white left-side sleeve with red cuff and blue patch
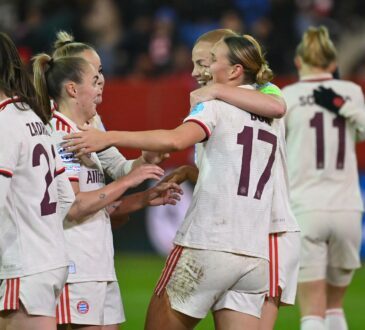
x=205, y=115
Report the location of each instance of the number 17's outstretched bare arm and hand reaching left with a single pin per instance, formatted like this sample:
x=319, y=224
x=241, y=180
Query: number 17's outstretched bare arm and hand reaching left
x=90, y=139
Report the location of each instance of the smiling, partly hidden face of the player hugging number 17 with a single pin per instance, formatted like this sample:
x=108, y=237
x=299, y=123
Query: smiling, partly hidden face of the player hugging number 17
x=201, y=60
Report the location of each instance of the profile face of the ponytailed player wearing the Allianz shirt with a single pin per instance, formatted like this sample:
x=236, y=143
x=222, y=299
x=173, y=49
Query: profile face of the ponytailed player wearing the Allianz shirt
x=88, y=93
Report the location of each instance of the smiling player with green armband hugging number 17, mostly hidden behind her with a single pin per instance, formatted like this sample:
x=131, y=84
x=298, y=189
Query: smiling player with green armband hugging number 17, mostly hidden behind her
x=284, y=238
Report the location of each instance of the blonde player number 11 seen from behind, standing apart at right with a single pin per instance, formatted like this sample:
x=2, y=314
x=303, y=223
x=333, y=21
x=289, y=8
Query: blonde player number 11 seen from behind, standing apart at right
x=323, y=175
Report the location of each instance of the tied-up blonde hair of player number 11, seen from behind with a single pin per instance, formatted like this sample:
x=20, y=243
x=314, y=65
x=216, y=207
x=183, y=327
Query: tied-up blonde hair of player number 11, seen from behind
x=316, y=48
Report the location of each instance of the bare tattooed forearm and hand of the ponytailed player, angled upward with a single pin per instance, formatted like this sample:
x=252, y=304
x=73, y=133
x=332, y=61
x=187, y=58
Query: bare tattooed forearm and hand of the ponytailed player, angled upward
x=87, y=203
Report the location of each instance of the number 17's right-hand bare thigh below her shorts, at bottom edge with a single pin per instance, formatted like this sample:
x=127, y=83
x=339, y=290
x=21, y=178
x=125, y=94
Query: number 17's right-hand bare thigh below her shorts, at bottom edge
x=226, y=319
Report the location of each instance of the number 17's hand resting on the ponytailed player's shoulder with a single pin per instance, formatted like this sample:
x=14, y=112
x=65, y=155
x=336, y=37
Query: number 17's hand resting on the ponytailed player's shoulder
x=88, y=140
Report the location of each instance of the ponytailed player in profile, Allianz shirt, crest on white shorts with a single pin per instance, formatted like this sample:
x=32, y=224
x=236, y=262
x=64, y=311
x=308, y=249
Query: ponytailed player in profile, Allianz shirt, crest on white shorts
x=91, y=298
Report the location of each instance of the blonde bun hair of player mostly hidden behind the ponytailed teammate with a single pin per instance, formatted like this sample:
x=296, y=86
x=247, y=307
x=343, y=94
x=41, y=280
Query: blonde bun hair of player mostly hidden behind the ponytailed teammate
x=65, y=45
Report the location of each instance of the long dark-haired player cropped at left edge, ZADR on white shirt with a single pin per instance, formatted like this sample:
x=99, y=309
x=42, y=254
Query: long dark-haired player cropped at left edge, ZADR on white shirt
x=34, y=196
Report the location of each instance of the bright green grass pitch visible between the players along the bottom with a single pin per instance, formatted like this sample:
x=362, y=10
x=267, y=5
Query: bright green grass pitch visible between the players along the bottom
x=138, y=274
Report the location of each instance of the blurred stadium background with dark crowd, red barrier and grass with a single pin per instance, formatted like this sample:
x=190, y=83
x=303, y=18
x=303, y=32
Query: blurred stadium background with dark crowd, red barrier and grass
x=145, y=48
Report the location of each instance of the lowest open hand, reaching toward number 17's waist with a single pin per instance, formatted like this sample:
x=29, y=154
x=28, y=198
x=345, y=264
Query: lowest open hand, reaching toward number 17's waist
x=163, y=193
